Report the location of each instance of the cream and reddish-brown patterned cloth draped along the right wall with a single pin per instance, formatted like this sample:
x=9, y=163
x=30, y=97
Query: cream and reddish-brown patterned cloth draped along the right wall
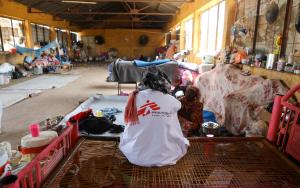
x=236, y=99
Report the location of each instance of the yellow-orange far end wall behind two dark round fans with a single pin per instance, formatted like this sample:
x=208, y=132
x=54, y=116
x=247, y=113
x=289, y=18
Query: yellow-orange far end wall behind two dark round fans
x=125, y=40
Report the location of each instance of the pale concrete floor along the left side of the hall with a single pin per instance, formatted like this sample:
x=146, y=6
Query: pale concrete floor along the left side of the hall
x=54, y=102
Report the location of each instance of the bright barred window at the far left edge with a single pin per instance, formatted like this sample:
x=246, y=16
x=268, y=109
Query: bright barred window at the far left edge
x=11, y=33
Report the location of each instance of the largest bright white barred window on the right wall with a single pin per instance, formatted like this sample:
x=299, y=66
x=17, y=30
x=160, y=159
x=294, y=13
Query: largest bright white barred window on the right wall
x=212, y=29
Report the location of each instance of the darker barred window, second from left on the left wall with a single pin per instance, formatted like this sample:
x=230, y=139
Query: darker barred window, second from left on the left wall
x=40, y=34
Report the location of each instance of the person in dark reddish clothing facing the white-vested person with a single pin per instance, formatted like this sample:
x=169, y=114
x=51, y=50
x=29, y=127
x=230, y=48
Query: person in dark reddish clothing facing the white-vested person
x=191, y=113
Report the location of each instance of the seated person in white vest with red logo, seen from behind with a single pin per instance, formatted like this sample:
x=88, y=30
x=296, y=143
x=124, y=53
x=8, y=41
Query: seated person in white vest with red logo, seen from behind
x=153, y=136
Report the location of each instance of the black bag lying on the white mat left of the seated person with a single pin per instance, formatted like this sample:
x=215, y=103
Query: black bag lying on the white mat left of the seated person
x=95, y=125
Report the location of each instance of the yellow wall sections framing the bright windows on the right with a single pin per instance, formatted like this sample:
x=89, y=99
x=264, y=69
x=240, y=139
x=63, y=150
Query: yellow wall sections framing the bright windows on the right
x=193, y=10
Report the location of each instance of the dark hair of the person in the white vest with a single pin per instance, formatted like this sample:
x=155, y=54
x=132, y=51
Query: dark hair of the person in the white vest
x=156, y=80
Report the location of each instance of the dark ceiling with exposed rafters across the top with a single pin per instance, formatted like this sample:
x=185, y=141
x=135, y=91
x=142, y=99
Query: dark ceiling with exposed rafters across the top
x=118, y=13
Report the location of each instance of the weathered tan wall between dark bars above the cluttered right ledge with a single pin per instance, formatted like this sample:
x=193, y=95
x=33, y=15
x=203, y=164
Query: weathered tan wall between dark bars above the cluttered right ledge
x=267, y=32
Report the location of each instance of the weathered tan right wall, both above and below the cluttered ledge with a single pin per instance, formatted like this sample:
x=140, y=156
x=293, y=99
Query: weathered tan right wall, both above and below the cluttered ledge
x=266, y=36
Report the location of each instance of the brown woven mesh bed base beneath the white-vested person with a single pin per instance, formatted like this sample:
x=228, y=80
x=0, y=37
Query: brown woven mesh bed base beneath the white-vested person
x=207, y=164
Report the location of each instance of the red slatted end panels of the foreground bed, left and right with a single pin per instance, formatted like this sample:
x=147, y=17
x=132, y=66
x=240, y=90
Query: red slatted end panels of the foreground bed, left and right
x=35, y=173
